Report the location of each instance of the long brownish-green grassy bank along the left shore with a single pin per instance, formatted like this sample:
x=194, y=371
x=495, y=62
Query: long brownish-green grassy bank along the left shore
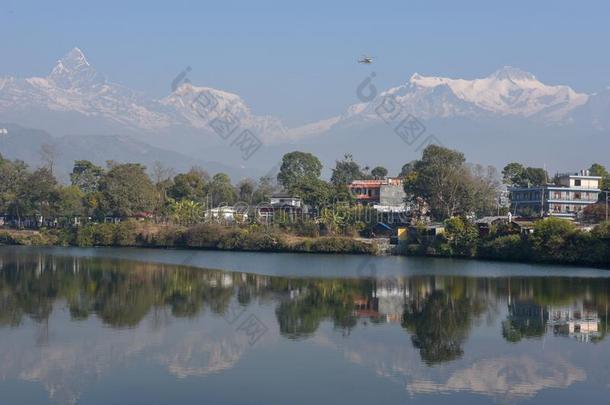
x=204, y=236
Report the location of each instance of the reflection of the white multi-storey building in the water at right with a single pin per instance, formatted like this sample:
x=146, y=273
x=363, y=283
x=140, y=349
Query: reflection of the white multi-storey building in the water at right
x=574, y=321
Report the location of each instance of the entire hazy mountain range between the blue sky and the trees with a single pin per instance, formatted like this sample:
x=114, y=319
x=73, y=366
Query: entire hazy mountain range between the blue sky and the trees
x=508, y=116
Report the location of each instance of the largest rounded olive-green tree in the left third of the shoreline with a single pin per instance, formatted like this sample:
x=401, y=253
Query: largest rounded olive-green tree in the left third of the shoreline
x=126, y=189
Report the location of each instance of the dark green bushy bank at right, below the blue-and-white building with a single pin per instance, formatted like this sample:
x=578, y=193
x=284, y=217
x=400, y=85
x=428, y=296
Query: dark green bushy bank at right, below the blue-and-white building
x=552, y=241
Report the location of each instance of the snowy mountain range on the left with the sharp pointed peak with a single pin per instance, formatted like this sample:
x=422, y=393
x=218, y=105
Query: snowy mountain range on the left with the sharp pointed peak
x=75, y=88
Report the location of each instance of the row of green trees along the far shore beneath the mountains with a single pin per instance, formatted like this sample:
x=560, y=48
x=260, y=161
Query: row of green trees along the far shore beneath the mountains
x=441, y=180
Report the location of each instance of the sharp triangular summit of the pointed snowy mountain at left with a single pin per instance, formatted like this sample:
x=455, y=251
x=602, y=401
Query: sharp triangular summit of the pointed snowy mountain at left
x=74, y=71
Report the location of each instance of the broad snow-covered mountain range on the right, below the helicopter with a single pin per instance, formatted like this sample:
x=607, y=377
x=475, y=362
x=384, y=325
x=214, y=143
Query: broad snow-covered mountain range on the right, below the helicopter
x=507, y=92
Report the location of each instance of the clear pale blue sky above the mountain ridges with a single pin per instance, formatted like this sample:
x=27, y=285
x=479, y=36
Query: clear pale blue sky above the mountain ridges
x=297, y=60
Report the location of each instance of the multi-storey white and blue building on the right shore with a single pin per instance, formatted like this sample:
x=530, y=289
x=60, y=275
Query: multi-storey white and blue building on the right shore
x=565, y=199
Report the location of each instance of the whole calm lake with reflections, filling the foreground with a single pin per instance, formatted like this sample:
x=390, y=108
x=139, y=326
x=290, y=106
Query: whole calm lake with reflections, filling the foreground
x=137, y=326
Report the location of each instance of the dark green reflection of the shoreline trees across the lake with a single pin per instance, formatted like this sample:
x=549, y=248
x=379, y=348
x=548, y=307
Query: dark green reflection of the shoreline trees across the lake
x=439, y=313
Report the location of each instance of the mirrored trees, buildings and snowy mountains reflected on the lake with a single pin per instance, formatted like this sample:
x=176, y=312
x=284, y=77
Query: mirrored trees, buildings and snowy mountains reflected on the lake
x=67, y=322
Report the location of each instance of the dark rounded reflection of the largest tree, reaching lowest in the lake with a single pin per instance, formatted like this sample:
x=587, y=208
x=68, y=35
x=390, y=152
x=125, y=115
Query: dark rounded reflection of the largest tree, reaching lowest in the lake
x=439, y=325
